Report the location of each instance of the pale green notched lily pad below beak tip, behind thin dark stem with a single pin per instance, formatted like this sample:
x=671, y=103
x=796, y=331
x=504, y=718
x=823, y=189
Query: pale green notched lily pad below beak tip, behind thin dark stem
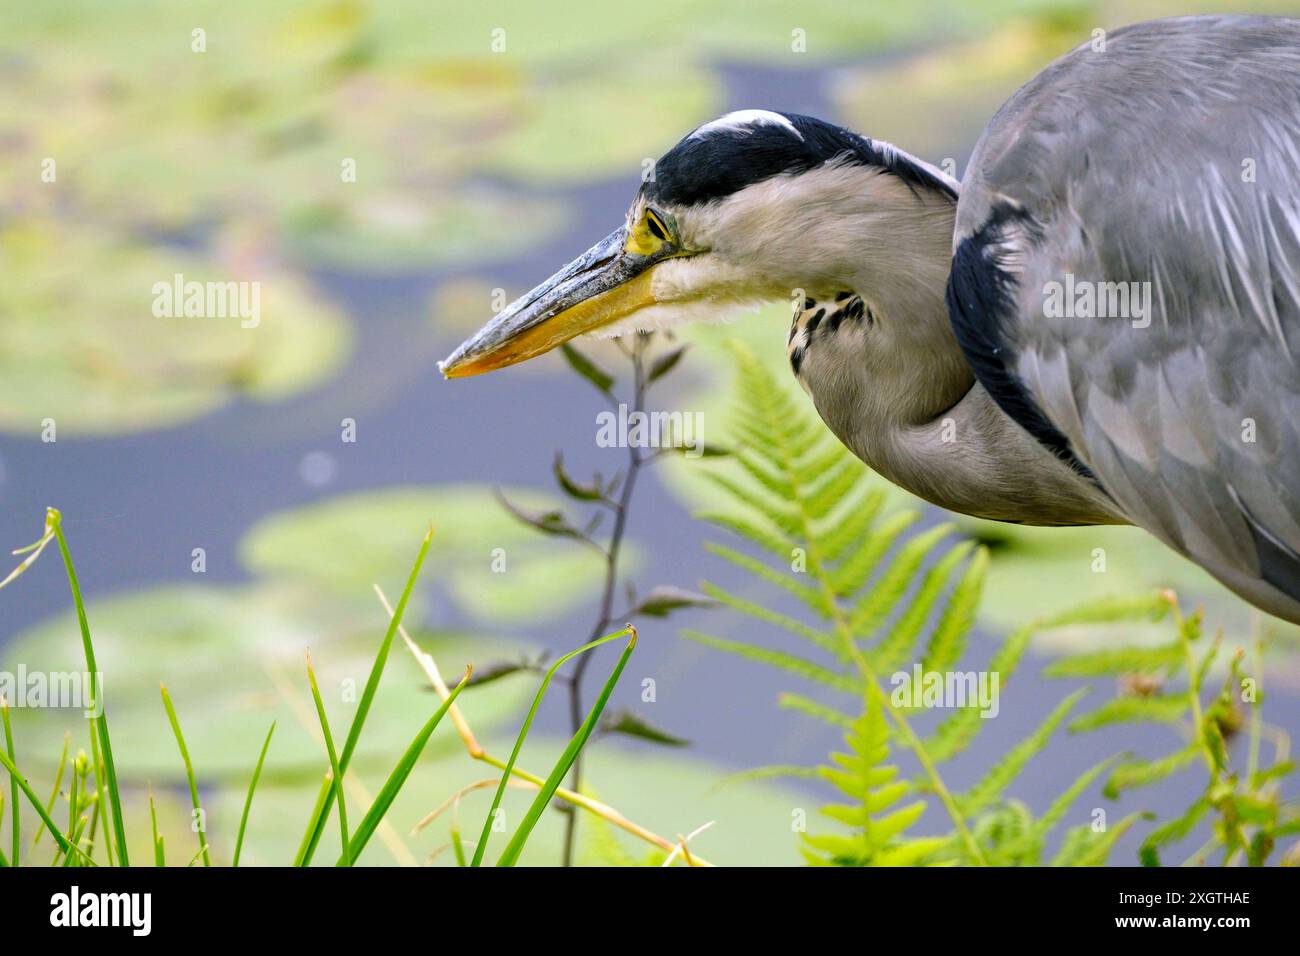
x=348, y=543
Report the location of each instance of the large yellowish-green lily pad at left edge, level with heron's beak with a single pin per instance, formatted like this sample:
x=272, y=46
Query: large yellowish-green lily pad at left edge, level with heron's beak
x=81, y=341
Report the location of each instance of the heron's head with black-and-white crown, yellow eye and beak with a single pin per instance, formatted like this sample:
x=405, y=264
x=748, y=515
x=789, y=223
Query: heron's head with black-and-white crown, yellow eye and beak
x=746, y=210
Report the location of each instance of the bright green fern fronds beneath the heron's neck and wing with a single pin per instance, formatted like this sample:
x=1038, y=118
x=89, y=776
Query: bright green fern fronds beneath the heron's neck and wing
x=883, y=600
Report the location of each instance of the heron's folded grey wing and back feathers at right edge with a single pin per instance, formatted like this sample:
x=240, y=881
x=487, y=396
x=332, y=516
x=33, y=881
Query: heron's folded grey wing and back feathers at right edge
x=1172, y=161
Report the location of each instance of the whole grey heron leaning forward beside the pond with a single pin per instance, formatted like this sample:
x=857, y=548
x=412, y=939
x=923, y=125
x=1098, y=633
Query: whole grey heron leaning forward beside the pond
x=977, y=343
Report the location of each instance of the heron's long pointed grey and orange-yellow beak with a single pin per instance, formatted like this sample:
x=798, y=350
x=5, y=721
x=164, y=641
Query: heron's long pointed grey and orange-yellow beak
x=603, y=285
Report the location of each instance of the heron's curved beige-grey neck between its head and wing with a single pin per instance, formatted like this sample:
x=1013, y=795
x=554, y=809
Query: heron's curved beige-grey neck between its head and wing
x=900, y=393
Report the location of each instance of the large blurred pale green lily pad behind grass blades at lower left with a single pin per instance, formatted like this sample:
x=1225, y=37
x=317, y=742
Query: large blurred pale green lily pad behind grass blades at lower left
x=233, y=661
